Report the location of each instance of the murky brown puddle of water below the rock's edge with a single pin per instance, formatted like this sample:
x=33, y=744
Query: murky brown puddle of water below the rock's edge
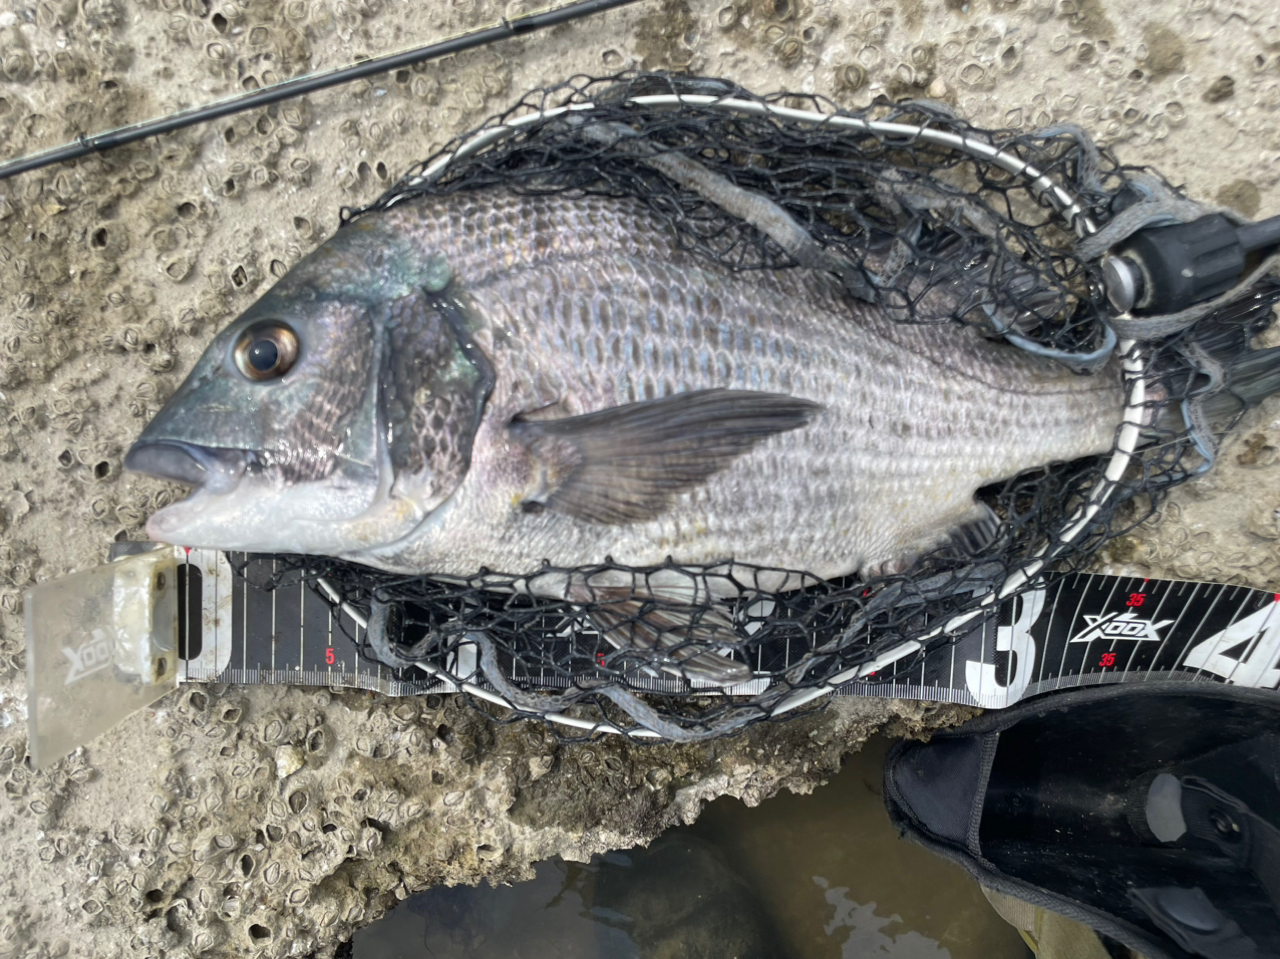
x=822, y=876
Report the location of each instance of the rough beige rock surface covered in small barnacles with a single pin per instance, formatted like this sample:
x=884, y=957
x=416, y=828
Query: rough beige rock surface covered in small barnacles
x=275, y=821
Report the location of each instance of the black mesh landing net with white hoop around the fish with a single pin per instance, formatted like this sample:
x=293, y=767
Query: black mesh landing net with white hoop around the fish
x=924, y=231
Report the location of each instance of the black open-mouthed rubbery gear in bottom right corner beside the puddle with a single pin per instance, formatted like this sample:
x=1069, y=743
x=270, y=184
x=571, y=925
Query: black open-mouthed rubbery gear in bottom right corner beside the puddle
x=1150, y=814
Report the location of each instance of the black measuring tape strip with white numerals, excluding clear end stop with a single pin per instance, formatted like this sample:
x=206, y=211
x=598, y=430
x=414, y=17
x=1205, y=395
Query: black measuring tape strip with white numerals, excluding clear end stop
x=1085, y=629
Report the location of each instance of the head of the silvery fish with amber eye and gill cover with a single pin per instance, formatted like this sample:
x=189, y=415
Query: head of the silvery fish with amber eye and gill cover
x=333, y=415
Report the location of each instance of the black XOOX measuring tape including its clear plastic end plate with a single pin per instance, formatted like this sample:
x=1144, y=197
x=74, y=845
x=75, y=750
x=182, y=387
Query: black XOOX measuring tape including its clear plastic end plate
x=111, y=641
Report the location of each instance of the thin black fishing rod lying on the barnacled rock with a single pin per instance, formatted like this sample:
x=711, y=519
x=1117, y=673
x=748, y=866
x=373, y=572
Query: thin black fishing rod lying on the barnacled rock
x=309, y=84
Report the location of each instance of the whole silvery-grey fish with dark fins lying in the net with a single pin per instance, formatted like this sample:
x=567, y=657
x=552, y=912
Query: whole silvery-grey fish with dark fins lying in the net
x=524, y=382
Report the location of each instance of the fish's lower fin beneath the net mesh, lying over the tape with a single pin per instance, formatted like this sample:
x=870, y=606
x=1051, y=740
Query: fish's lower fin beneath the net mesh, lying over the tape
x=687, y=636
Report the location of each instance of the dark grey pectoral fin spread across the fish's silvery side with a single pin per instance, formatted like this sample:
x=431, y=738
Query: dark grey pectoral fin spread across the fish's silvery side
x=627, y=464
